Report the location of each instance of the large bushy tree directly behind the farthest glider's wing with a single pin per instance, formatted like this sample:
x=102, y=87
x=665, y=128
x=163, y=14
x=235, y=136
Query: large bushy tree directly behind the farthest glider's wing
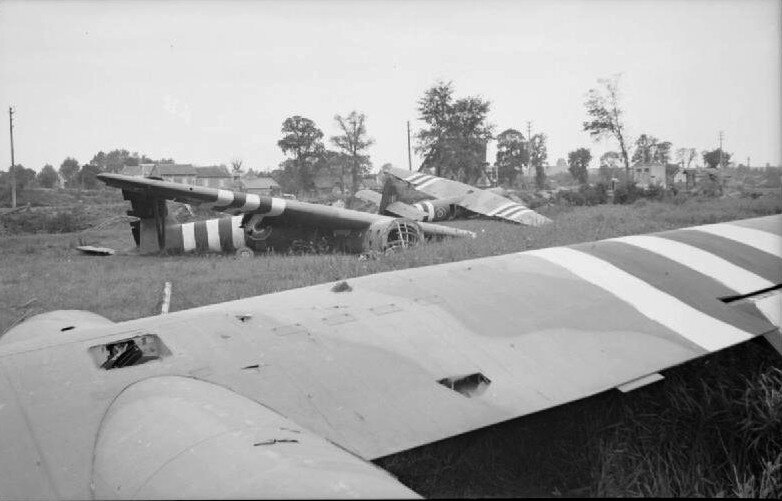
x=454, y=144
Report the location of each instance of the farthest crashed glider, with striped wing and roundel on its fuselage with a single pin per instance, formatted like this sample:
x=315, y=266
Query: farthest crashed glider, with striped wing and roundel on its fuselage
x=449, y=196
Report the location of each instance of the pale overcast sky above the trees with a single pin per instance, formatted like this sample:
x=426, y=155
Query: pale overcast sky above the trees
x=208, y=81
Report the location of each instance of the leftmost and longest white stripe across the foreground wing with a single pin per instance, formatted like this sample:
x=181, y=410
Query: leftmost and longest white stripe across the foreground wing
x=701, y=329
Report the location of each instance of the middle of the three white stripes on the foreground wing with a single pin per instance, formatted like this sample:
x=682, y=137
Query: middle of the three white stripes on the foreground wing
x=725, y=272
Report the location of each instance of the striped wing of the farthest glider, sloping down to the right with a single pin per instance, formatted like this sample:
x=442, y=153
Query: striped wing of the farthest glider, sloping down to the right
x=480, y=201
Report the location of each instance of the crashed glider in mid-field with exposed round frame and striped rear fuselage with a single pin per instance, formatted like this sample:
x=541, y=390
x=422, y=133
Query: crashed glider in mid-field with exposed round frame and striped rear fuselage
x=263, y=223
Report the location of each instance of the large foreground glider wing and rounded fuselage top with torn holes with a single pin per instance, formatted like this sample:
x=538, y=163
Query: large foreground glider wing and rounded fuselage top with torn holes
x=293, y=394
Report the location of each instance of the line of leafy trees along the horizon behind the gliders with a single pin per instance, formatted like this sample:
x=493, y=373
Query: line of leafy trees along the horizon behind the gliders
x=452, y=143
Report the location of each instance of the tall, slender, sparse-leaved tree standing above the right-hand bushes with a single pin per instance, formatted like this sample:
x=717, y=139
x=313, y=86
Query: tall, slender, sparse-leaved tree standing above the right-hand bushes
x=605, y=115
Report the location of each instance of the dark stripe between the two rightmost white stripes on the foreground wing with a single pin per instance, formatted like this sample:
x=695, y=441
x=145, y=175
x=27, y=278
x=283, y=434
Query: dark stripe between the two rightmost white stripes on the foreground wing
x=743, y=256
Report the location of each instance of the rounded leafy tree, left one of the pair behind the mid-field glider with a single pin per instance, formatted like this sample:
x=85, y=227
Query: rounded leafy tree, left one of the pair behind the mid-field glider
x=302, y=139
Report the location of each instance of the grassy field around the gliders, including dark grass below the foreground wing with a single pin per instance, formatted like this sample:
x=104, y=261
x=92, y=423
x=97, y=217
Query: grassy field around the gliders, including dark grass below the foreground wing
x=713, y=427
